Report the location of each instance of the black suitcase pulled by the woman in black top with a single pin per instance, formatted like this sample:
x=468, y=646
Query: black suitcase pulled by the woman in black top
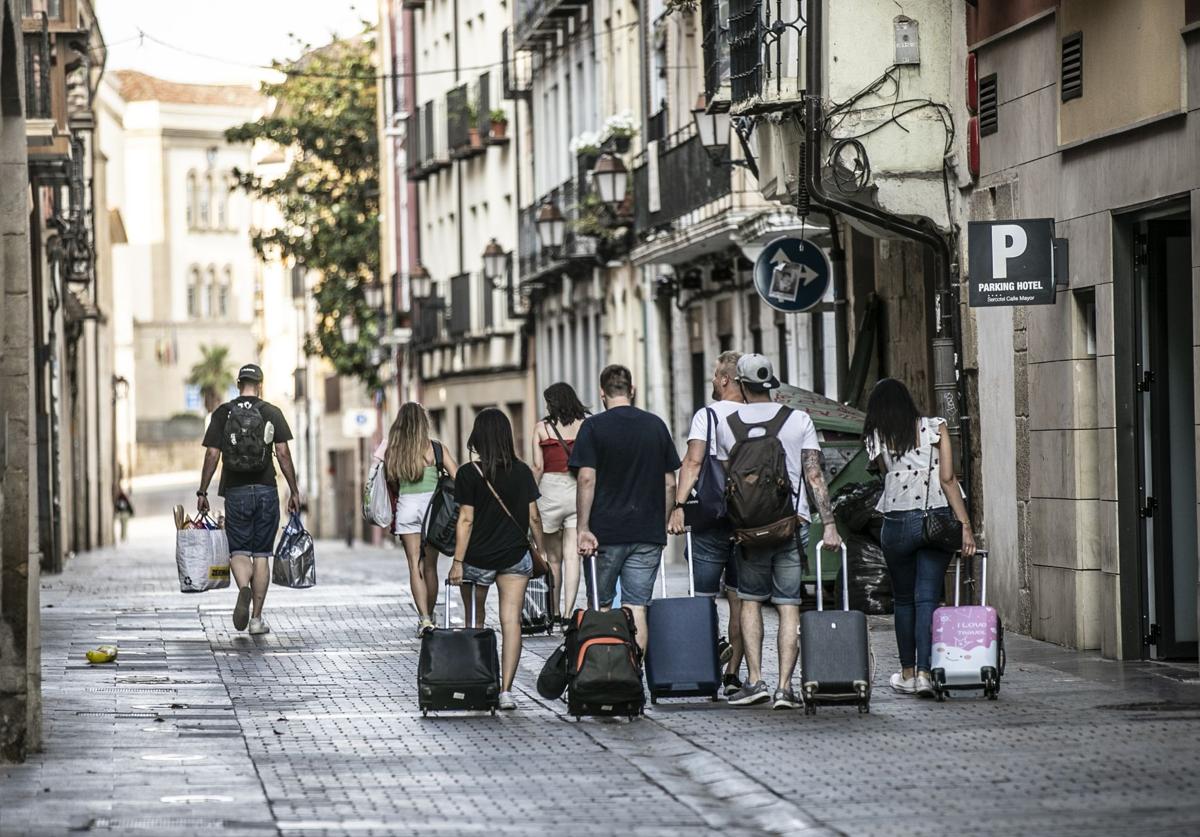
x=459, y=669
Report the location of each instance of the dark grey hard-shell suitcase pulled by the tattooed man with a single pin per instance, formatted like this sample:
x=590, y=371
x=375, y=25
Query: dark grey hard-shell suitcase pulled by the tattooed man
x=836, y=654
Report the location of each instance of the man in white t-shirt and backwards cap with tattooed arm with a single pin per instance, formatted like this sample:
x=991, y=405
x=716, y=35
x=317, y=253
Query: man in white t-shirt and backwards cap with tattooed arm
x=773, y=573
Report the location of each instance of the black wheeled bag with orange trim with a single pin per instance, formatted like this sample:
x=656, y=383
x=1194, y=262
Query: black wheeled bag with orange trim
x=604, y=664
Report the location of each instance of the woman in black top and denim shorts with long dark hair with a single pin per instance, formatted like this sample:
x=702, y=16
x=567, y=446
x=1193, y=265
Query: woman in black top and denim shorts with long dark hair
x=499, y=502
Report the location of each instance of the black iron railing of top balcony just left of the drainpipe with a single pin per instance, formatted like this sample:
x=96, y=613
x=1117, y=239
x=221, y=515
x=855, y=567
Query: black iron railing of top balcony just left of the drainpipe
x=766, y=55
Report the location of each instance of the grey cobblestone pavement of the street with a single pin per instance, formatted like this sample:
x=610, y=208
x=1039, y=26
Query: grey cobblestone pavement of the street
x=315, y=731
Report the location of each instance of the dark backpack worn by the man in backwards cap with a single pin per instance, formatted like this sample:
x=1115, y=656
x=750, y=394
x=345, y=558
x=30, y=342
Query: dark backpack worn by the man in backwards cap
x=758, y=486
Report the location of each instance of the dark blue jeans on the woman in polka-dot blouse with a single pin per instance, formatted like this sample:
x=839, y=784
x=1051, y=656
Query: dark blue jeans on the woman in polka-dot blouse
x=919, y=580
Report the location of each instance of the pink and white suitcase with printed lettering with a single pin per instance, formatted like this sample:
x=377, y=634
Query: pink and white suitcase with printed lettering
x=969, y=642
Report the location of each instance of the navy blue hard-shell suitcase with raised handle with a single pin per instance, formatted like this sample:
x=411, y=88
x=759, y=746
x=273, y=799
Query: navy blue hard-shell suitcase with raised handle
x=681, y=655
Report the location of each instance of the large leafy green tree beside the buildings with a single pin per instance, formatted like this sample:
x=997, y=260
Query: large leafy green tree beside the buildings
x=325, y=119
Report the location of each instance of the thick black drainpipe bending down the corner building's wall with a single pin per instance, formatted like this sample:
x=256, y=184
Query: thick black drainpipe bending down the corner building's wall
x=950, y=386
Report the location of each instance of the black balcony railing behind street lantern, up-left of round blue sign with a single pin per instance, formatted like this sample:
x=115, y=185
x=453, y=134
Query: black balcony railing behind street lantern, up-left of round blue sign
x=688, y=180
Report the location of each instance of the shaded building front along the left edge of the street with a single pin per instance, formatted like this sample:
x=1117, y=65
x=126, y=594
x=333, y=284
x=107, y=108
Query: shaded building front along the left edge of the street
x=56, y=371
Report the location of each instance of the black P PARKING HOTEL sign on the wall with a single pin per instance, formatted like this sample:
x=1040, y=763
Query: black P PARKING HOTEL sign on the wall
x=1011, y=263
